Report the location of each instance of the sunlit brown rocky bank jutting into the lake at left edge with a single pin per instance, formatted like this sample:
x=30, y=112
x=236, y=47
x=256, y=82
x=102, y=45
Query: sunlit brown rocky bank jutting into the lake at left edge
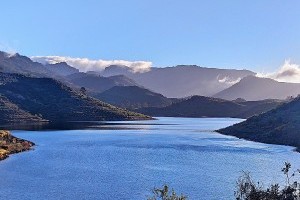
x=10, y=144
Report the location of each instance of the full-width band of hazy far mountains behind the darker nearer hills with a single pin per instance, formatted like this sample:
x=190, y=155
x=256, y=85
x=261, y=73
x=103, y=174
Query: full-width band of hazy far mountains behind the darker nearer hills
x=180, y=81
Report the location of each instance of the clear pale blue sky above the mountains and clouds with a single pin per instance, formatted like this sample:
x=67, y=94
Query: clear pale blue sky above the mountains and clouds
x=253, y=34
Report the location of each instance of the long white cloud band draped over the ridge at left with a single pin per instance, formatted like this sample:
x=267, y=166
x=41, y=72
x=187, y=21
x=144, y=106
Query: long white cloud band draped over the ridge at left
x=85, y=64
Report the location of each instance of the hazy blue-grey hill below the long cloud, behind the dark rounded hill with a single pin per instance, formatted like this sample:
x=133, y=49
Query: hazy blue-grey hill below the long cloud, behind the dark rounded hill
x=97, y=83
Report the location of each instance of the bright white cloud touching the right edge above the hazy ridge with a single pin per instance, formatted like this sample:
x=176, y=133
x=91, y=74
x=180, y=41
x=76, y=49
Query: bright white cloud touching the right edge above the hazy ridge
x=288, y=72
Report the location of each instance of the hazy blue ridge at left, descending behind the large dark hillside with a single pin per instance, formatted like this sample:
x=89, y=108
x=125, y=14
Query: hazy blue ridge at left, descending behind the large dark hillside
x=15, y=63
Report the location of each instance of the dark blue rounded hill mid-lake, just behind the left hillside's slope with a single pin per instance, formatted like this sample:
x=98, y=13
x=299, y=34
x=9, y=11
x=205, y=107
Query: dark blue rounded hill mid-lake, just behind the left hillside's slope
x=133, y=97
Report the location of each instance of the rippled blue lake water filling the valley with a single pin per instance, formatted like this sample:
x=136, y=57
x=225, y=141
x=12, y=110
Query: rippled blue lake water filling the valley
x=125, y=161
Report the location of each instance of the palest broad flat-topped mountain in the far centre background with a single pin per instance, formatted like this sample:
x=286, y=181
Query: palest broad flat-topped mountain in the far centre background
x=182, y=80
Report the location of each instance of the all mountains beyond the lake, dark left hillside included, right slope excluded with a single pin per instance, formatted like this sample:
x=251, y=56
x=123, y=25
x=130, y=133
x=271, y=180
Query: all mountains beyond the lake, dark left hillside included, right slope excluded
x=28, y=89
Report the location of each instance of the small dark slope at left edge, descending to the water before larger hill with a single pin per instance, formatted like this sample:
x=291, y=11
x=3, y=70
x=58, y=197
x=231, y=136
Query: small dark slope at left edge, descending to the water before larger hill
x=11, y=113
